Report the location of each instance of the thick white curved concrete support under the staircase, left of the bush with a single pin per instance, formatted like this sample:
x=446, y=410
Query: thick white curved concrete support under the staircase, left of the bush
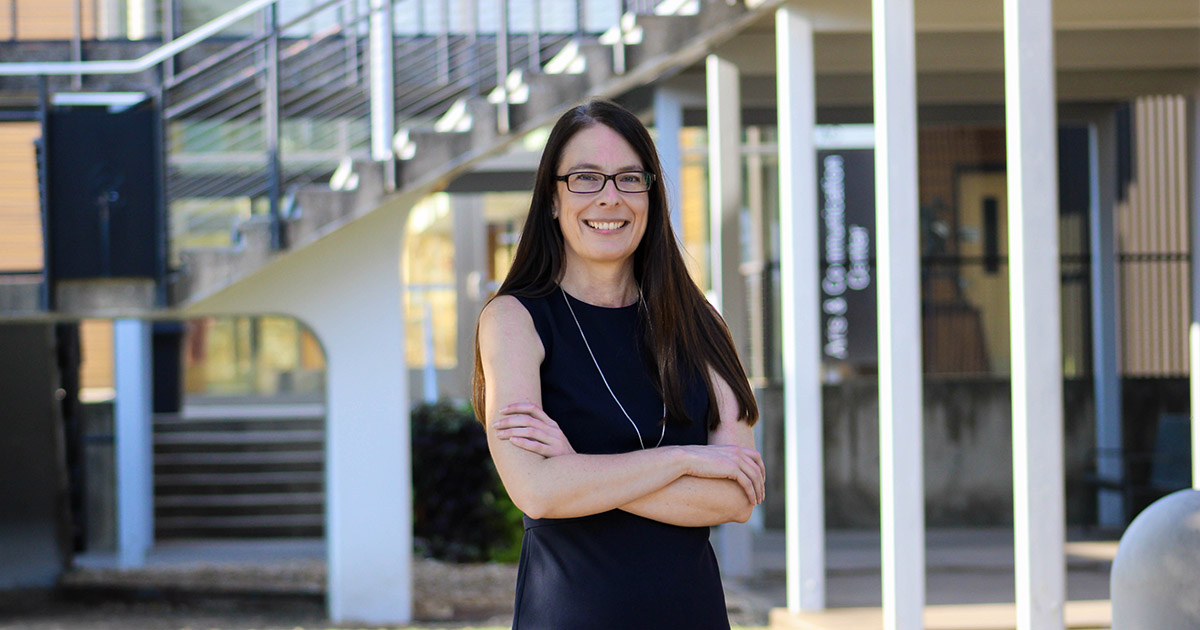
x=361, y=325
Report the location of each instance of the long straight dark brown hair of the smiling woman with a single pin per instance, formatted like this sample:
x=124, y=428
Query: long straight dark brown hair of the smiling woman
x=681, y=329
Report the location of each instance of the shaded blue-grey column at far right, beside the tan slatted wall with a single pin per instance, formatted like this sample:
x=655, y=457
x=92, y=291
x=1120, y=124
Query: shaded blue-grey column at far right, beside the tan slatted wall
x=1106, y=327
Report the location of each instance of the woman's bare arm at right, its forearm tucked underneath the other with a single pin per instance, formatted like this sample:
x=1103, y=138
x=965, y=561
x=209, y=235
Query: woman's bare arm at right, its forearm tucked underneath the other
x=697, y=502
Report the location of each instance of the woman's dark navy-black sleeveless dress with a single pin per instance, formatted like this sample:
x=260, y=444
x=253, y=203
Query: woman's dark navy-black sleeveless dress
x=613, y=571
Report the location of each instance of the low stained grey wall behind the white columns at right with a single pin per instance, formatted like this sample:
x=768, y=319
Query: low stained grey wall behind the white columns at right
x=968, y=453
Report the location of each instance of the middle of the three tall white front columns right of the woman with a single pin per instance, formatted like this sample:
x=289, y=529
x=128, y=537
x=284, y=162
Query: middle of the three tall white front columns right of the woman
x=902, y=478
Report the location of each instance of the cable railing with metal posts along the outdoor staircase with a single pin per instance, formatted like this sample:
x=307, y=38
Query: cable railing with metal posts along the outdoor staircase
x=273, y=95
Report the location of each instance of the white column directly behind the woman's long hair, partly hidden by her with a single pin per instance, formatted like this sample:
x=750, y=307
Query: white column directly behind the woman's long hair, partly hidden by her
x=724, y=239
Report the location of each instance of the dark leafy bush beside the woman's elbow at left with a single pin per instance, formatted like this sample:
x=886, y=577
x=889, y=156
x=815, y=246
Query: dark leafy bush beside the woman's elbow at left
x=460, y=509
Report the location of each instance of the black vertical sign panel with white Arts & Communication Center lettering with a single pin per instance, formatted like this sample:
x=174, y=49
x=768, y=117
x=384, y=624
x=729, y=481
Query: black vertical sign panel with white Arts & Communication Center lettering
x=847, y=201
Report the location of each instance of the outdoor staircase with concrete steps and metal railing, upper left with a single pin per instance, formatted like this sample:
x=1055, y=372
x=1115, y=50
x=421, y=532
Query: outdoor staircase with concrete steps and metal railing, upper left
x=266, y=135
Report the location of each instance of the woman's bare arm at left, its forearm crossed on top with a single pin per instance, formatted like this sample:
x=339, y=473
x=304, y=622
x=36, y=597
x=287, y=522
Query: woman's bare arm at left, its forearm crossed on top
x=569, y=485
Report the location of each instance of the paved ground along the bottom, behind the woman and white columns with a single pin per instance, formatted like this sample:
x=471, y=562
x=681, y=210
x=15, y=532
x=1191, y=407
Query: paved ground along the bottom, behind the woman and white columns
x=281, y=585
